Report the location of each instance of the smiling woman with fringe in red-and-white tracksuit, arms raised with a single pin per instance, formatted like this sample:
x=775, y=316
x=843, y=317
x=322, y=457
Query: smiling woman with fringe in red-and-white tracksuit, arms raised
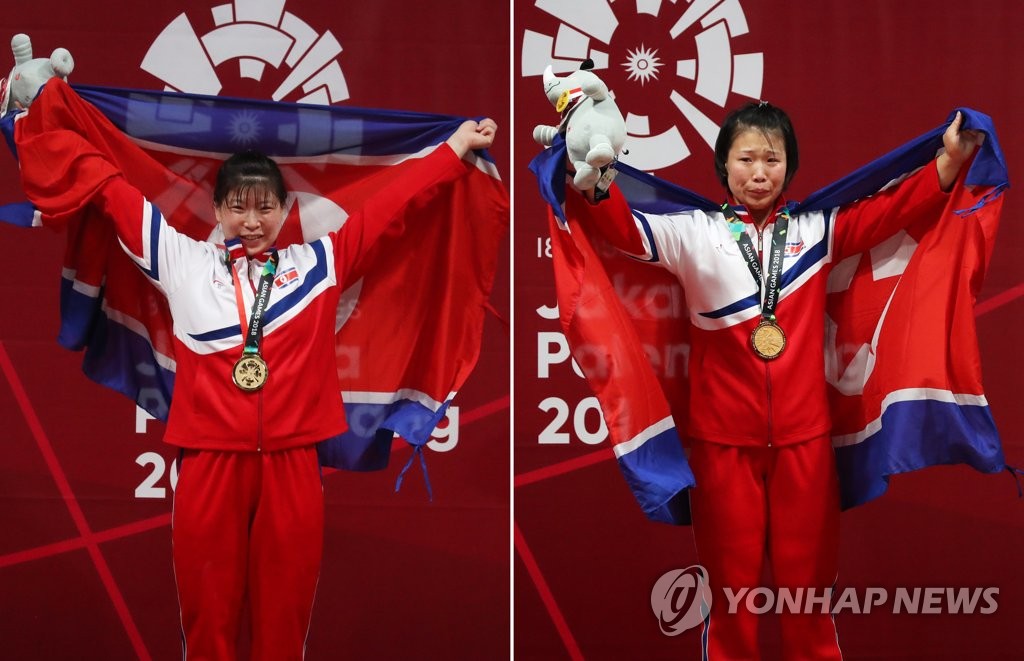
x=257, y=383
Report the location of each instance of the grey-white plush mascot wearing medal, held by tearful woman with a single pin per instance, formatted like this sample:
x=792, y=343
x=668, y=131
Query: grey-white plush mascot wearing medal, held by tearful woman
x=593, y=126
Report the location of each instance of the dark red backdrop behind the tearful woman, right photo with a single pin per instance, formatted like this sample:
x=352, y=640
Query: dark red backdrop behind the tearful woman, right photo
x=859, y=79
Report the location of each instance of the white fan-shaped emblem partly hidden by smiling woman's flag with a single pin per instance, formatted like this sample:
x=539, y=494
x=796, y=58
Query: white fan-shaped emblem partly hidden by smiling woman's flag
x=252, y=35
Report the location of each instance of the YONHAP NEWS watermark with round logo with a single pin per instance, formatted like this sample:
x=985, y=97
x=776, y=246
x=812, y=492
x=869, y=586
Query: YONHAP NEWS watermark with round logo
x=681, y=599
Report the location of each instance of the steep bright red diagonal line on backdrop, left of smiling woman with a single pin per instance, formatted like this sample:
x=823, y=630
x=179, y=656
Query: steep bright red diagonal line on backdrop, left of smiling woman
x=90, y=542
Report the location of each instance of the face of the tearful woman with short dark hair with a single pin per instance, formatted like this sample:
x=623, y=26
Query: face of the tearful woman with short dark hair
x=756, y=168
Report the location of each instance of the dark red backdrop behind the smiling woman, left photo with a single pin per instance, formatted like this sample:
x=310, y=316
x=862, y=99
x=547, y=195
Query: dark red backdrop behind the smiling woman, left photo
x=86, y=482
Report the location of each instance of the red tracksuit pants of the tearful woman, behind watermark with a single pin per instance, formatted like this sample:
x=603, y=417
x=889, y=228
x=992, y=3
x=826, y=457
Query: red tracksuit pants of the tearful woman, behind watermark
x=784, y=501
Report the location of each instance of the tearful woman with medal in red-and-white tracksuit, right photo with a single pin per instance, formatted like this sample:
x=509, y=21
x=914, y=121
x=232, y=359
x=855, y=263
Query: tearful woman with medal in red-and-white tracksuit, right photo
x=755, y=279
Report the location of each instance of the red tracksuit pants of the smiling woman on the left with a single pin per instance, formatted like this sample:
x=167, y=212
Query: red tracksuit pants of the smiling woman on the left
x=247, y=524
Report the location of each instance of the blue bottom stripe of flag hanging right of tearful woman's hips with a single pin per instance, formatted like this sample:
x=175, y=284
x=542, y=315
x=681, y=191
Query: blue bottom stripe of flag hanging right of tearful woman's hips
x=918, y=434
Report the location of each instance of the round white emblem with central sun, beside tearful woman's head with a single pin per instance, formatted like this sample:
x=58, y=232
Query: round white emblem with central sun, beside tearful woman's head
x=673, y=65
